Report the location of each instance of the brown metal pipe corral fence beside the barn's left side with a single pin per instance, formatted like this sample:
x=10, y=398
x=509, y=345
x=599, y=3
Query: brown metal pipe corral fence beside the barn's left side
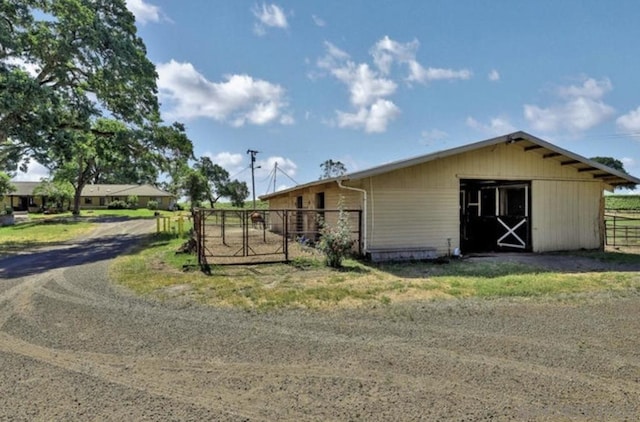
x=260, y=236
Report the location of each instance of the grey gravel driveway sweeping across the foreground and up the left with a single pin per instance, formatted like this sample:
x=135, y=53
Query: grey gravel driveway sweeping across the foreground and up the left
x=75, y=347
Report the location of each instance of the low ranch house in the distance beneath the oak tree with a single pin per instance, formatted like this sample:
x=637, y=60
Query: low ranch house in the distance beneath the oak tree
x=92, y=196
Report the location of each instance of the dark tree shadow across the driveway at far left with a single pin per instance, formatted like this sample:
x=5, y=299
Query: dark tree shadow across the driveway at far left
x=61, y=256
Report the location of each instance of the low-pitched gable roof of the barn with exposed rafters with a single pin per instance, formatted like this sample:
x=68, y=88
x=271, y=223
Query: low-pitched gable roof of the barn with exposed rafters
x=527, y=142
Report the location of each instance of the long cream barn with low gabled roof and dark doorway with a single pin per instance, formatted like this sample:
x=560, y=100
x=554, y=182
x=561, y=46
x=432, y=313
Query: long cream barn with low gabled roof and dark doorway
x=510, y=193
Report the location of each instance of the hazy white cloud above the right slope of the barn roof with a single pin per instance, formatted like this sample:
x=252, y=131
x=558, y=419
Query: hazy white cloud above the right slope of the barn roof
x=581, y=110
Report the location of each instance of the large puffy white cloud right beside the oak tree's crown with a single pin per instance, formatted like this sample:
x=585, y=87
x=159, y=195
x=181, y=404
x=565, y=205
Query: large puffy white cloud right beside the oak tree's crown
x=240, y=99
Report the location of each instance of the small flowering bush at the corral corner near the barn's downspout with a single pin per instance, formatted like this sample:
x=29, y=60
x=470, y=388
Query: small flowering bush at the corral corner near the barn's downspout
x=336, y=242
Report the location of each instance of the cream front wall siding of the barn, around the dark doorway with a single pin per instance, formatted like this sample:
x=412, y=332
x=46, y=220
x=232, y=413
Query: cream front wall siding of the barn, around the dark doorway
x=419, y=206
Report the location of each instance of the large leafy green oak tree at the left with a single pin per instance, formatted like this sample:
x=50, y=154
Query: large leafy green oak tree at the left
x=65, y=64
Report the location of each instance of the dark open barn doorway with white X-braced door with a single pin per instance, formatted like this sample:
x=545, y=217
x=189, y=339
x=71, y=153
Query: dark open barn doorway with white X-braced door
x=495, y=215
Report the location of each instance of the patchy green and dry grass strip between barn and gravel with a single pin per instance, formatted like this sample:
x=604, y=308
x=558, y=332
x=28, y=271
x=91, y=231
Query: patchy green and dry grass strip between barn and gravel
x=156, y=270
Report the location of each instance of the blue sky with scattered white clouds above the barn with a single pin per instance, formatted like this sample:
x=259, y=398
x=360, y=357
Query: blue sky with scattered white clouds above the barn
x=368, y=82
